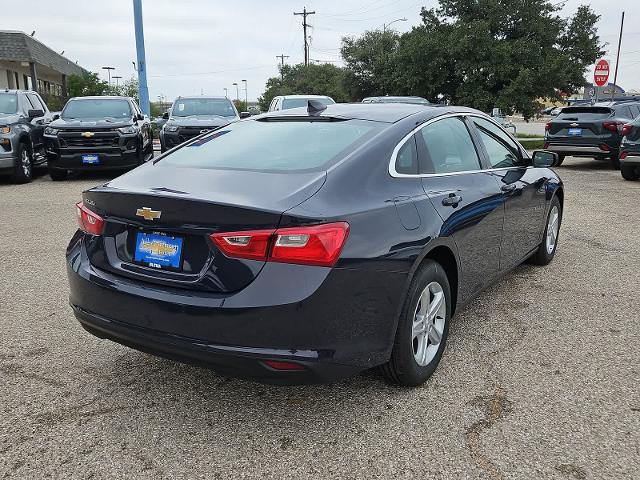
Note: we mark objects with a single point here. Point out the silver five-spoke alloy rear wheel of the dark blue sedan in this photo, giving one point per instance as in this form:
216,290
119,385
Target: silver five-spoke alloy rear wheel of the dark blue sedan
428,323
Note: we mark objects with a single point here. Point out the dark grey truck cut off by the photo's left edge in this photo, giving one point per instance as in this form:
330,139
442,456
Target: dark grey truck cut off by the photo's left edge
23,117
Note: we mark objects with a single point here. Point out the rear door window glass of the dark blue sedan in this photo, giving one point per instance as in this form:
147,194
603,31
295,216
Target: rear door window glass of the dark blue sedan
448,147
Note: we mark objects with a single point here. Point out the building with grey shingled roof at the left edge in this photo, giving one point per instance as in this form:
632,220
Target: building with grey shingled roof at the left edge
26,63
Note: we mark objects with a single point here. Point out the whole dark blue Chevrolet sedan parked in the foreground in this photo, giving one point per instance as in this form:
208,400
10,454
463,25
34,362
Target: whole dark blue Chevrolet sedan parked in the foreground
311,244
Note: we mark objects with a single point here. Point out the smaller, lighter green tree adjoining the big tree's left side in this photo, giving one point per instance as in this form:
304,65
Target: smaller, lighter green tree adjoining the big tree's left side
369,63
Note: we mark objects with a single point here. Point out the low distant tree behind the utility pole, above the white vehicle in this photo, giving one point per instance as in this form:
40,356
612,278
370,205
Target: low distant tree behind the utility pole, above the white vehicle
313,79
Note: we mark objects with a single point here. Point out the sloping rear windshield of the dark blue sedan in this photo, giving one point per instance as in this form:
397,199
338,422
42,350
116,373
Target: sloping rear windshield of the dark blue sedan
274,145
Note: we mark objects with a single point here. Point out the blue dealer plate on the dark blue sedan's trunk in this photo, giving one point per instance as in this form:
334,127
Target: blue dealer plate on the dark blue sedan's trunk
157,250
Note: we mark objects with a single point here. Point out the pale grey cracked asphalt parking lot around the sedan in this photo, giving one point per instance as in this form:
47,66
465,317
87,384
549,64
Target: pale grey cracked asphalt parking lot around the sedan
540,378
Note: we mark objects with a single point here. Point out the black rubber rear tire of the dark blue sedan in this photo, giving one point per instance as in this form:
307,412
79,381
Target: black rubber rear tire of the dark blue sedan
403,368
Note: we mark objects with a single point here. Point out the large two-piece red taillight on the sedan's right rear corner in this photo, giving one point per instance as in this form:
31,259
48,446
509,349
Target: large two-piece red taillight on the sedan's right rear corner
312,245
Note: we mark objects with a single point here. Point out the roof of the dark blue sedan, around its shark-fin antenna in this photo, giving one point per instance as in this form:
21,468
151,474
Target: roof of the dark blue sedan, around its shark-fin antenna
377,112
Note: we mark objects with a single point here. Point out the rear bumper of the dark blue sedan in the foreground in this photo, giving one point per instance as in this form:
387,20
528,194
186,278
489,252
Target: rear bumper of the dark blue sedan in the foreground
335,322
